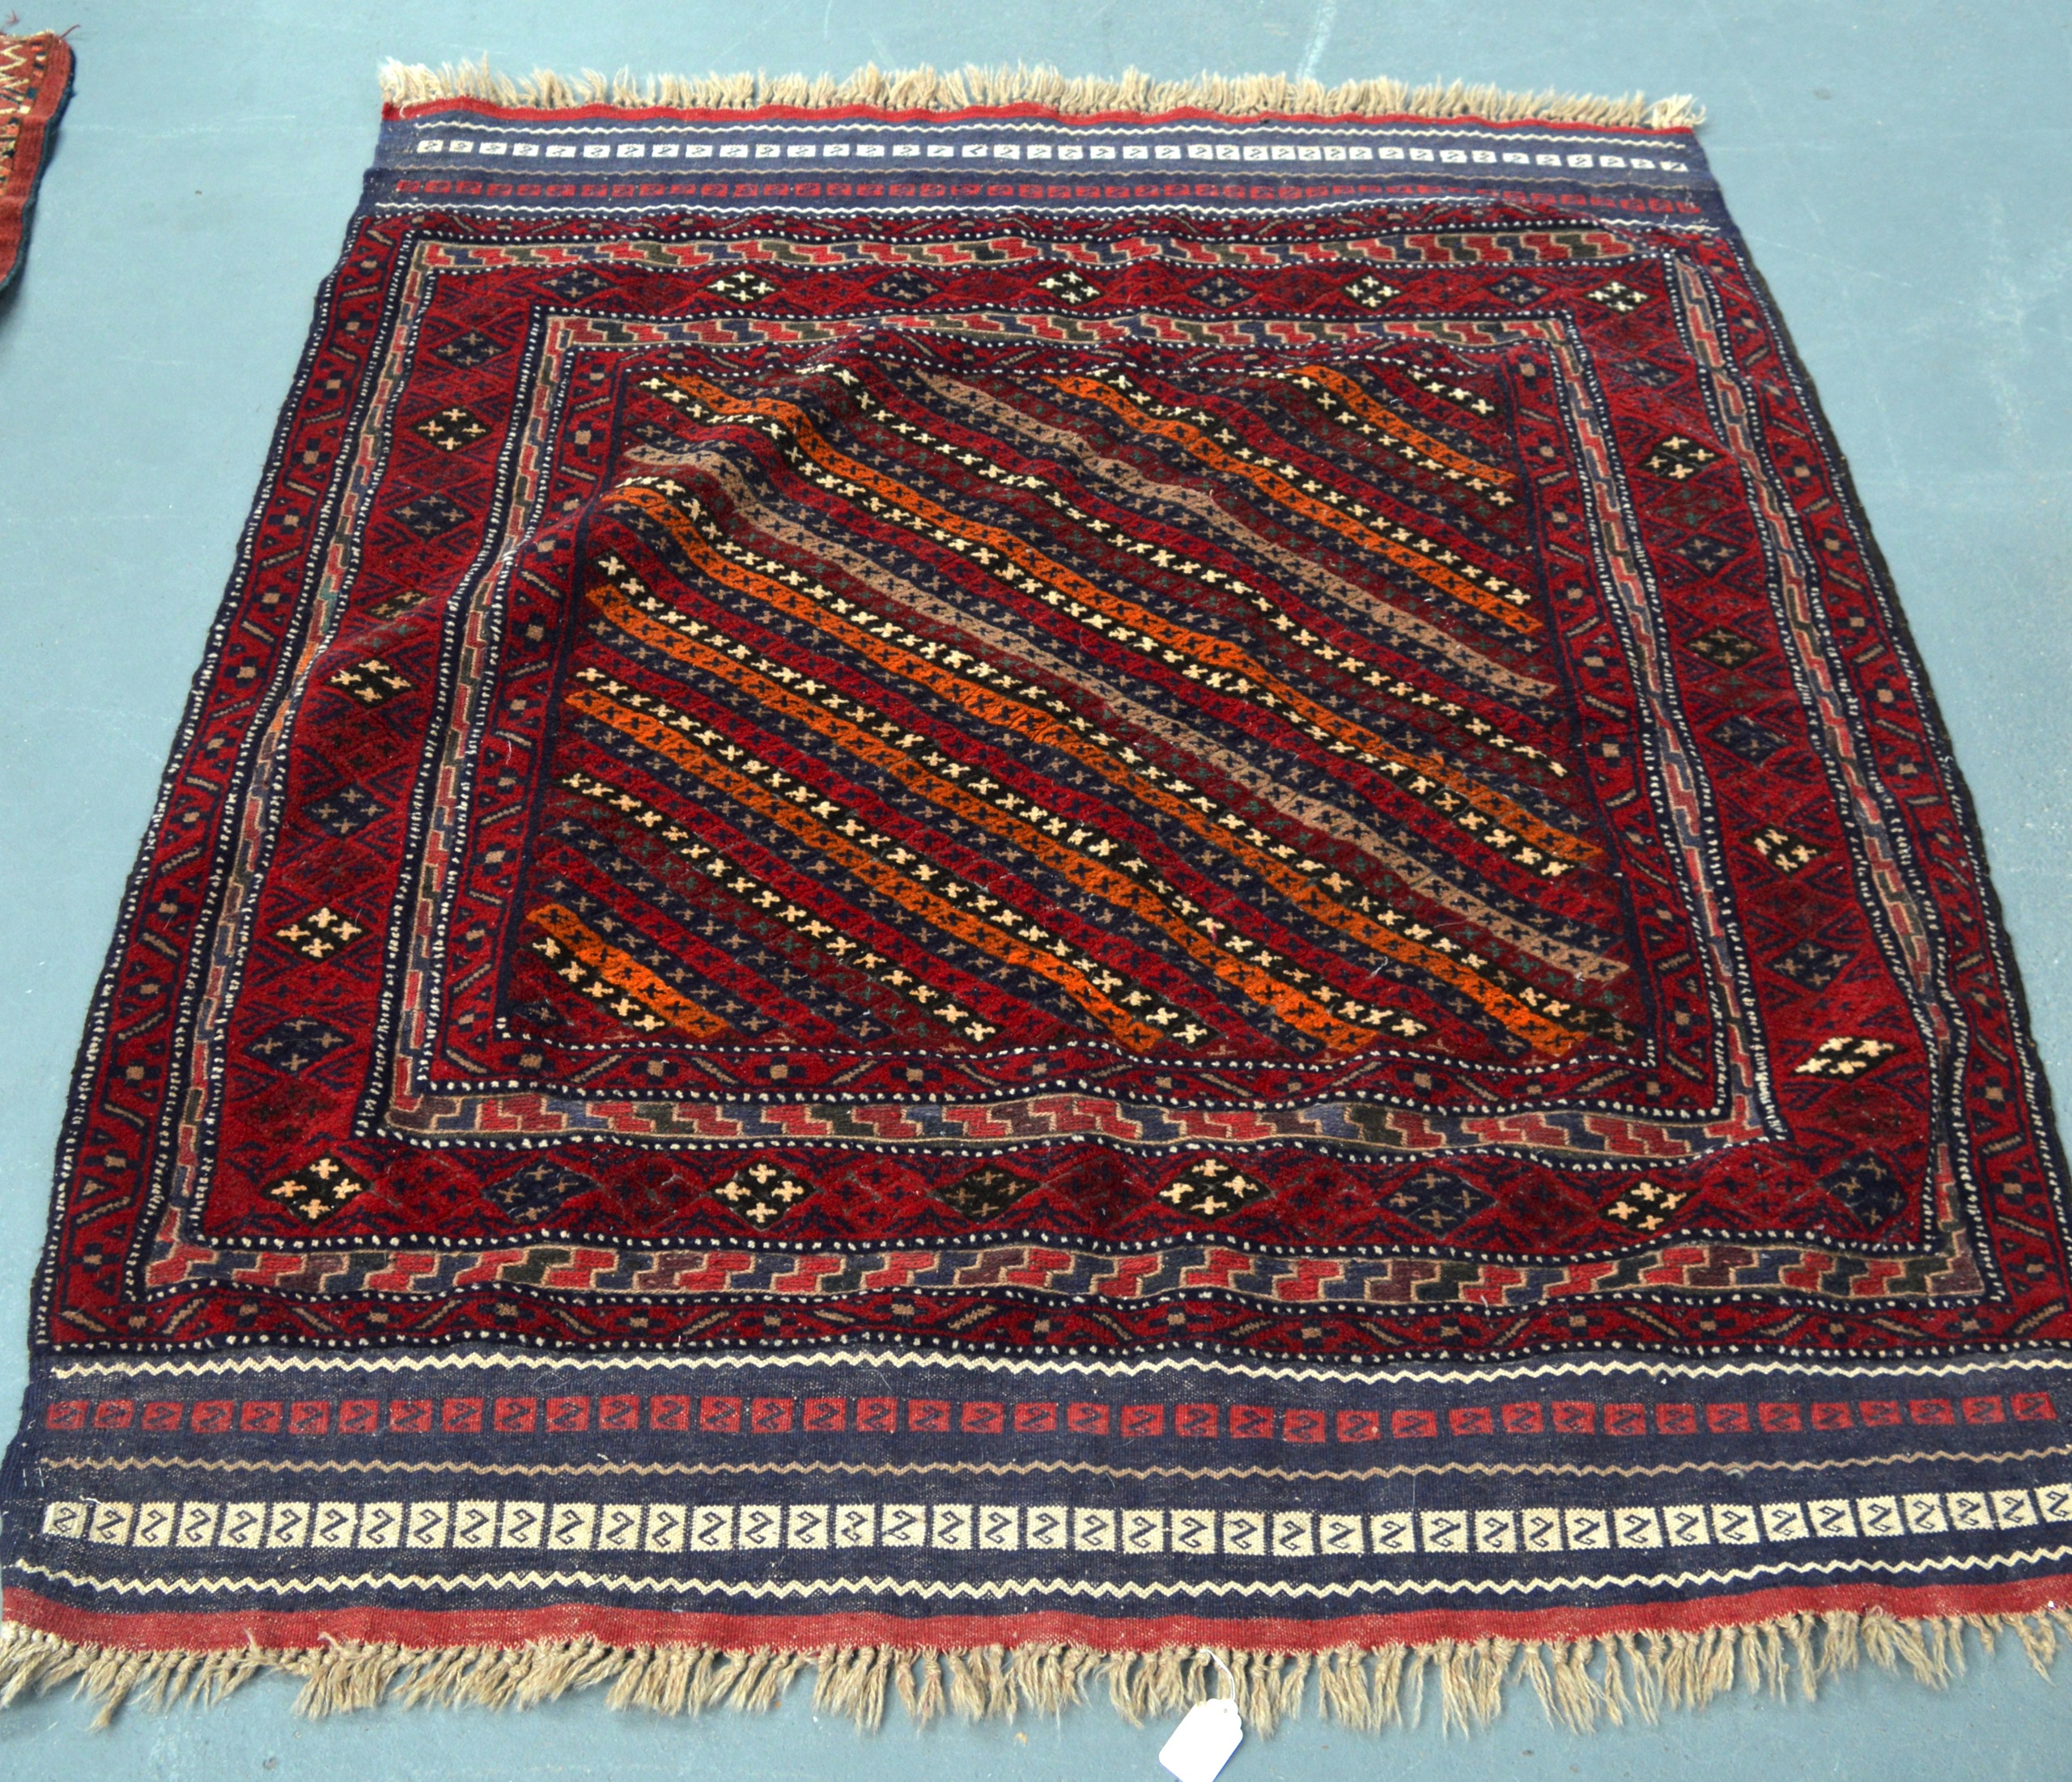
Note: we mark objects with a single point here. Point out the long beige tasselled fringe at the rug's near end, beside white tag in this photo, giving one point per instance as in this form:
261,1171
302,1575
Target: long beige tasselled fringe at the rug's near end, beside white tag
1582,1684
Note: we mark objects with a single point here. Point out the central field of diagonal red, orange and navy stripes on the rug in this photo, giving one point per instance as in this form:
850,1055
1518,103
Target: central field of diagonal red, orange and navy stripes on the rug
1190,755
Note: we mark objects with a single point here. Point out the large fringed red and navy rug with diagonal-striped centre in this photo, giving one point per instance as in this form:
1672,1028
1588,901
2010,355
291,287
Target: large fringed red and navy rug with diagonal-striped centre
994,882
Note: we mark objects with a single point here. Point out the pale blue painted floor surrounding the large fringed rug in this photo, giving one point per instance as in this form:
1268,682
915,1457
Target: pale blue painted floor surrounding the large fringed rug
1897,165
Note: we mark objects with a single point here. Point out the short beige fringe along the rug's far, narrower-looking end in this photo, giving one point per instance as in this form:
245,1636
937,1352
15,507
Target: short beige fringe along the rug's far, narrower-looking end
954,90
